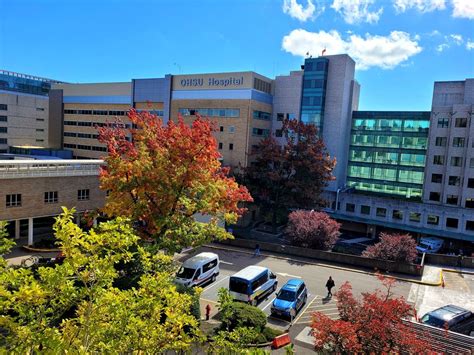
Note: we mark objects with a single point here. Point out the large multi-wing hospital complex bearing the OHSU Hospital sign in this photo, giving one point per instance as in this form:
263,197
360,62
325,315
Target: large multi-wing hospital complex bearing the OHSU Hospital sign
400,170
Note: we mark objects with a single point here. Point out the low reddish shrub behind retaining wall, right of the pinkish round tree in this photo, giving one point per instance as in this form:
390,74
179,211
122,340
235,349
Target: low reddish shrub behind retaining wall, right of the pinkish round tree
394,247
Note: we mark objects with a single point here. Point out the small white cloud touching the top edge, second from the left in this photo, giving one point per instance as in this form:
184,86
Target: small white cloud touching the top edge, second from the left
356,11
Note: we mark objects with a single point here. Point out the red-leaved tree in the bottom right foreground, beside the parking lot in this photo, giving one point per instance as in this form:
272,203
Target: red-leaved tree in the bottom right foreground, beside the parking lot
372,325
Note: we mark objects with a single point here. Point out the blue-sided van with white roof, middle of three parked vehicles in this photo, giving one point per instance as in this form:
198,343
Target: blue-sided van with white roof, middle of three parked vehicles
252,284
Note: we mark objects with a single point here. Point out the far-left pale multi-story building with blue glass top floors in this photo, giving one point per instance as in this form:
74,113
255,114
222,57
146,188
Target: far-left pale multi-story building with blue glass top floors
24,112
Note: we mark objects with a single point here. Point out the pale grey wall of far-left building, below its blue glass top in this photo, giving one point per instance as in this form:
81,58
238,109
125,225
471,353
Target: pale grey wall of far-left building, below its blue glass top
26,120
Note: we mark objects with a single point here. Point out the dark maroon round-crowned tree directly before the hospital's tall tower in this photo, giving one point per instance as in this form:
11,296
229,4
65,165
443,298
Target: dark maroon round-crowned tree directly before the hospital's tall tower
291,175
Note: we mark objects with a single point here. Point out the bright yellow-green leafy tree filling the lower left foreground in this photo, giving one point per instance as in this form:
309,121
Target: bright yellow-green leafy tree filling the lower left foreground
74,307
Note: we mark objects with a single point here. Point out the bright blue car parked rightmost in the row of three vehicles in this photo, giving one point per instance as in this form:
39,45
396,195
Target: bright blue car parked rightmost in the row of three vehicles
290,299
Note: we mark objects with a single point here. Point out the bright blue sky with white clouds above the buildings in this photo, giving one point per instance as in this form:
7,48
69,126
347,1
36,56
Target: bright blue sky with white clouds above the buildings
401,46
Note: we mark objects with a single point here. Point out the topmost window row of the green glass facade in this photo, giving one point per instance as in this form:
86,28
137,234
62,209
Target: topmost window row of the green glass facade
390,125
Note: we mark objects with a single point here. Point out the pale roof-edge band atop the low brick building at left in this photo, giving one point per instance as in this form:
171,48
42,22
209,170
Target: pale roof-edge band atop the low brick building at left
14,169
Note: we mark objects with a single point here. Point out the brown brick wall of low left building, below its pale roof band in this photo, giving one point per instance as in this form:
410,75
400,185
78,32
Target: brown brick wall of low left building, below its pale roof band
32,195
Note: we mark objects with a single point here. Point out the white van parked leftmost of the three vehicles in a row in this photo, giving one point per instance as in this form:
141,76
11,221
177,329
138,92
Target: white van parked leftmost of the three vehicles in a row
198,270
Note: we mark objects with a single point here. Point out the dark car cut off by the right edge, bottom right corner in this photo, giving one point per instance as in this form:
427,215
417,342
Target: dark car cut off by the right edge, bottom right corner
451,317
